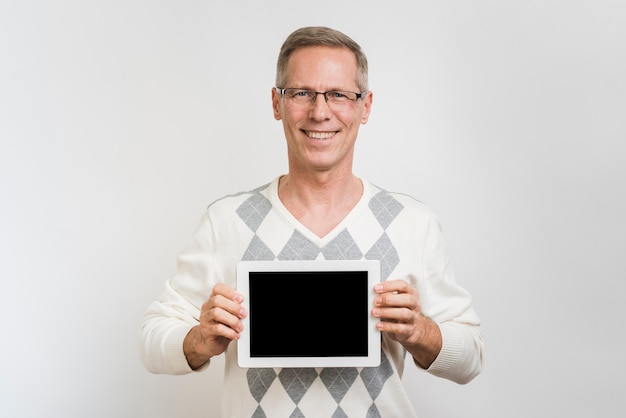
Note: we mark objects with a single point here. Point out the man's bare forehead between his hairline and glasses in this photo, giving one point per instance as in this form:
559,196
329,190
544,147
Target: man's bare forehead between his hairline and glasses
322,67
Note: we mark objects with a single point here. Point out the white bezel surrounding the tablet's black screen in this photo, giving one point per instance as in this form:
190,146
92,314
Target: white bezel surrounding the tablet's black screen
372,267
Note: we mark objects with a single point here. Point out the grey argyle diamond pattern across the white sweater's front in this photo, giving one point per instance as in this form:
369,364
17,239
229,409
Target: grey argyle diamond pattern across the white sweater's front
337,381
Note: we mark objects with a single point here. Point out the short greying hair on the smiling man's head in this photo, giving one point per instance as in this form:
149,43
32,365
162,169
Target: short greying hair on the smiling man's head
320,36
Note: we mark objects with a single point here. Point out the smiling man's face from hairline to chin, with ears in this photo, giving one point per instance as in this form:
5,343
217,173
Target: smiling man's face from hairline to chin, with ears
319,137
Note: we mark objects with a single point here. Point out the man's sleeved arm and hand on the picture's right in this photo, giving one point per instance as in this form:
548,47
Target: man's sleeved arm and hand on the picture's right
432,316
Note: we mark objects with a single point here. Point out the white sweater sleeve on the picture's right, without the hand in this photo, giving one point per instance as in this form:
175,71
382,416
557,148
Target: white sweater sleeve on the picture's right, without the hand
450,306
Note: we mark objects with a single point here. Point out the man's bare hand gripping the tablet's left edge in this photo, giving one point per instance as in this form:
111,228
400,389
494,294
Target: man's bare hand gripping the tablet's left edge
220,323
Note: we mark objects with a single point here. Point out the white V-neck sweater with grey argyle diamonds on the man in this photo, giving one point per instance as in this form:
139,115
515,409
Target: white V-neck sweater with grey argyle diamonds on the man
399,231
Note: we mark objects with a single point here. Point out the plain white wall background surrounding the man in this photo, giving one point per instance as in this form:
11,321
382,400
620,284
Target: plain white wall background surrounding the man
120,121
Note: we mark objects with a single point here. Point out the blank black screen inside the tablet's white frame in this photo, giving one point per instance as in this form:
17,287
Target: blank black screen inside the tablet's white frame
308,314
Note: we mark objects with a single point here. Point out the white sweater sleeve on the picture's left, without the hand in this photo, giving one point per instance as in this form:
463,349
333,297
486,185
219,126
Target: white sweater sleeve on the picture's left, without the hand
168,319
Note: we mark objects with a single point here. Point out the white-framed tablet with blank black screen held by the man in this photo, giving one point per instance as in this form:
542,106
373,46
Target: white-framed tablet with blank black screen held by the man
308,314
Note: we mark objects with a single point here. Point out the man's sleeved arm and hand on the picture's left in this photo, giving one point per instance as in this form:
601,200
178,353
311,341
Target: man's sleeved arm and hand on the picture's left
195,317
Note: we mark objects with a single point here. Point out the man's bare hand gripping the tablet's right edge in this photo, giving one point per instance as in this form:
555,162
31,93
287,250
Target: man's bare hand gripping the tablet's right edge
398,308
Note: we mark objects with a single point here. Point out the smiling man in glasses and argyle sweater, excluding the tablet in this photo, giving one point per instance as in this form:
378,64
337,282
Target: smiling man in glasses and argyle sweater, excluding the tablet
318,210
